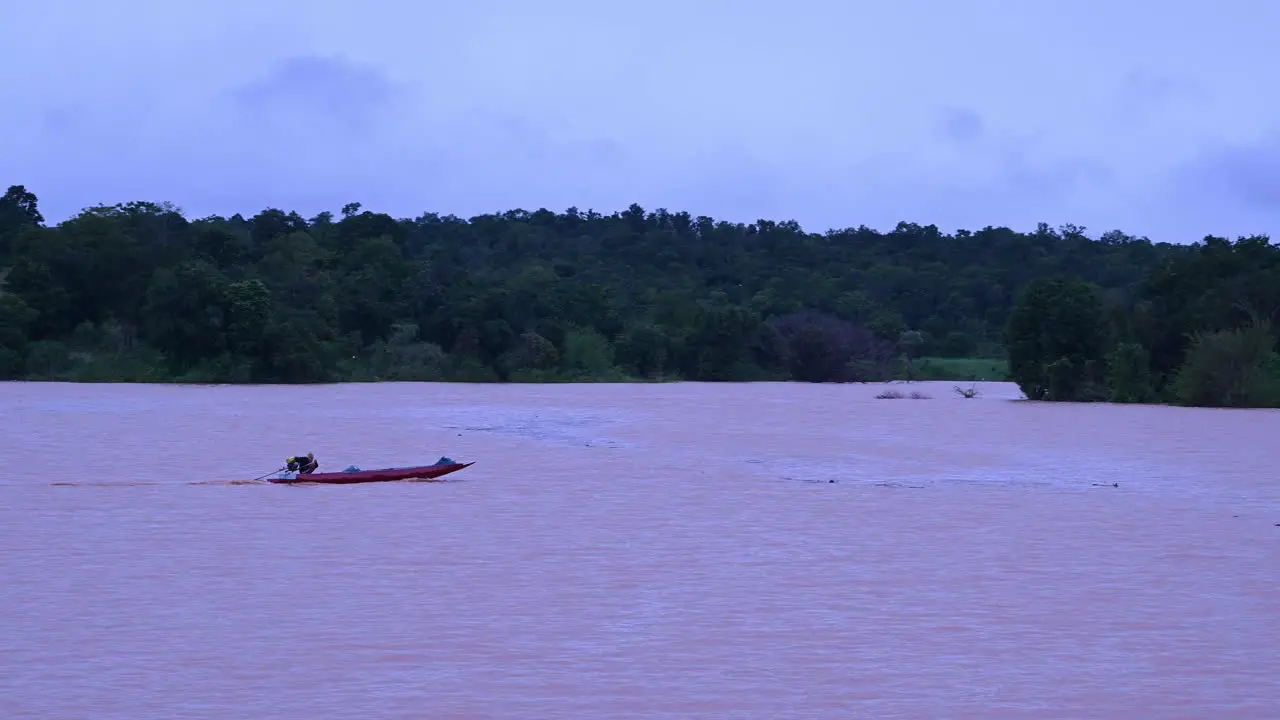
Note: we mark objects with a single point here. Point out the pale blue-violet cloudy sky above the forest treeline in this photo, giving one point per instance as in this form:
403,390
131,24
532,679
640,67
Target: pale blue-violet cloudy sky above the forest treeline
1155,119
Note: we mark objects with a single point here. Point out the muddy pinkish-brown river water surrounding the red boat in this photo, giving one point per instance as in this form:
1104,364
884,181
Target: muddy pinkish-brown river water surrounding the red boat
634,552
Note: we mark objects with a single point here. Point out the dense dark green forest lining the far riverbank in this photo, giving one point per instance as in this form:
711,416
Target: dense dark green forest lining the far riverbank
139,293
